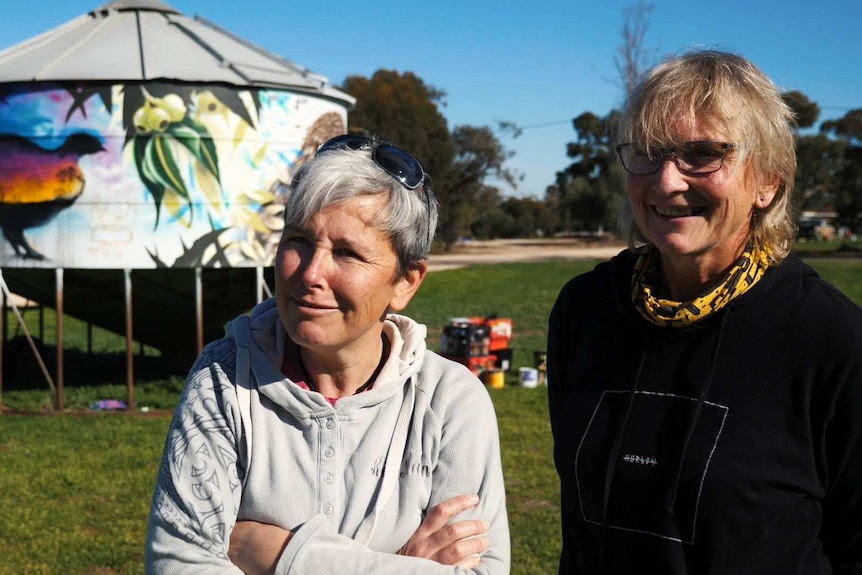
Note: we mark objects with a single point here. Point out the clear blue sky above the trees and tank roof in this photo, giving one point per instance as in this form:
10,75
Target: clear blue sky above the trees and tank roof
538,64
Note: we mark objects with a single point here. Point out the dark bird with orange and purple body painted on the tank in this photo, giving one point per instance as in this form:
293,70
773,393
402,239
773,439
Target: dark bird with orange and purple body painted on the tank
37,183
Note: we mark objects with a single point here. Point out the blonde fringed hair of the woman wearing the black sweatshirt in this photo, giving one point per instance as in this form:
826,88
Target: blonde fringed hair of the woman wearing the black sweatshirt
725,92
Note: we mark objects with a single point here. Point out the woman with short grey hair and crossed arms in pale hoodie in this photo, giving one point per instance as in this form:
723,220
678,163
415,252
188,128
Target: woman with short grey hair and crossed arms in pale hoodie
321,435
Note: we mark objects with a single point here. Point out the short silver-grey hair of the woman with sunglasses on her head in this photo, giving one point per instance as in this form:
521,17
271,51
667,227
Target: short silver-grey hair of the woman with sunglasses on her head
410,222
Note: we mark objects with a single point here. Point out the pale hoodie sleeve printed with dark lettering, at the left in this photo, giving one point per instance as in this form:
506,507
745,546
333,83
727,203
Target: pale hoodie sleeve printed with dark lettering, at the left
199,483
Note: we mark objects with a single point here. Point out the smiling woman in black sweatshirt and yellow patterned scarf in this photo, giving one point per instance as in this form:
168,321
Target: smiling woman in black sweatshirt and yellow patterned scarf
705,385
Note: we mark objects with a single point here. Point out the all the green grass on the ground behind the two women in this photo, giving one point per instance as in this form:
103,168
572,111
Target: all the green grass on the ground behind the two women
75,488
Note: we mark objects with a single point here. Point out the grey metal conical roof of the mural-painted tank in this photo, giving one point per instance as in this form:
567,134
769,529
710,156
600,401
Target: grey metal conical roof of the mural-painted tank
146,40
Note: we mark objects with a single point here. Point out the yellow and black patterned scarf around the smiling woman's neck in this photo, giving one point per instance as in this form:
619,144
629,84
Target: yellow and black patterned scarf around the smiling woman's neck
744,274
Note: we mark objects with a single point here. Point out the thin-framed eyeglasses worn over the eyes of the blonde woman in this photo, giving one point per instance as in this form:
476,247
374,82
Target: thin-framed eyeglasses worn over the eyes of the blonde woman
692,158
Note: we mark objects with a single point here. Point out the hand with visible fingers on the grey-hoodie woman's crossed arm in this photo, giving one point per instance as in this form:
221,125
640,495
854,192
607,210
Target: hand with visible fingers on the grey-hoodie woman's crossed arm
456,543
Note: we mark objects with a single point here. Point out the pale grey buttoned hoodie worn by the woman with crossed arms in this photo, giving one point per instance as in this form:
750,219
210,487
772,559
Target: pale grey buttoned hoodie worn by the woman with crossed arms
352,481
